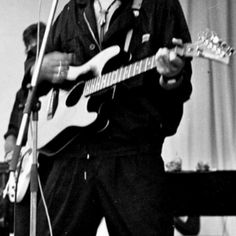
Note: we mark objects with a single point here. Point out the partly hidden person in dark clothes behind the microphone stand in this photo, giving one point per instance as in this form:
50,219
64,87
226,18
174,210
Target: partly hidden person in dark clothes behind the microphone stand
32,36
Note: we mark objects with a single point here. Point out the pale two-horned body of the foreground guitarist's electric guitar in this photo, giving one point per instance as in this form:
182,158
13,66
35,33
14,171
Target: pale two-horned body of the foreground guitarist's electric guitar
75,111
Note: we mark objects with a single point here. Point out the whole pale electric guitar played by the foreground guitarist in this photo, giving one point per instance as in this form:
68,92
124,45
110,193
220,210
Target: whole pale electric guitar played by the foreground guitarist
71,109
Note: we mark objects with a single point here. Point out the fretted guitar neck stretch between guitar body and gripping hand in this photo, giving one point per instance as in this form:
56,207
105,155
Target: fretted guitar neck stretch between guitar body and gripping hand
124,73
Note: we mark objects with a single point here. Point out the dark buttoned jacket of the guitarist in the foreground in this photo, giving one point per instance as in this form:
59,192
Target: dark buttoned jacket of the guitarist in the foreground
141,111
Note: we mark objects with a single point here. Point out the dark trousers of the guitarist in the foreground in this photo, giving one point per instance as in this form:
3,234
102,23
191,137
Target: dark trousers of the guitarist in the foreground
128,190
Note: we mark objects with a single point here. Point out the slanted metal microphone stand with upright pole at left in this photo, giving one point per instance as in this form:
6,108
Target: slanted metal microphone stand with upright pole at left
32,106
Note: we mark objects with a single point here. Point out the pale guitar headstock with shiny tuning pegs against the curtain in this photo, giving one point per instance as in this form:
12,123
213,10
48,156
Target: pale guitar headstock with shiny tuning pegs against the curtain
208,46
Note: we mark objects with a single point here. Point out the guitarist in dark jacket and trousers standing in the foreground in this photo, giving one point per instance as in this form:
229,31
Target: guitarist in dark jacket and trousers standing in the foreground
118,172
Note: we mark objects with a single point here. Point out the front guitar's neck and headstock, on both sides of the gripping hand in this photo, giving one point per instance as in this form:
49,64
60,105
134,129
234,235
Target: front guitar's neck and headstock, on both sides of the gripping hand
198,49
